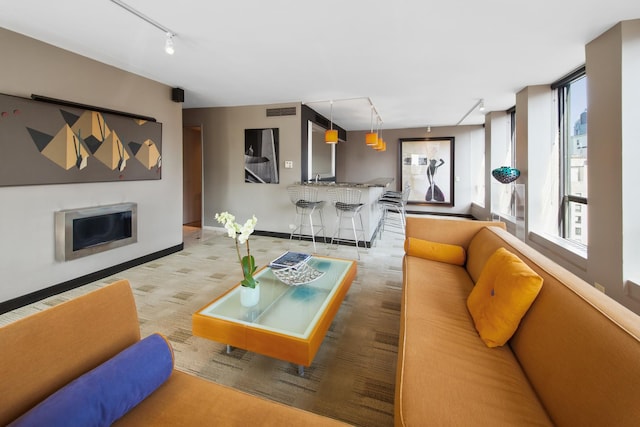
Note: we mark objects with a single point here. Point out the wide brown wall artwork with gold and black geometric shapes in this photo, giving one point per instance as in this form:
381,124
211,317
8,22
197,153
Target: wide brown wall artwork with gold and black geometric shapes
45,143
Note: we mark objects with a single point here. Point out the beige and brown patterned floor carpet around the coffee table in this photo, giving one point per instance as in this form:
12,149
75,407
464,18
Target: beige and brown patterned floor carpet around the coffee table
352,377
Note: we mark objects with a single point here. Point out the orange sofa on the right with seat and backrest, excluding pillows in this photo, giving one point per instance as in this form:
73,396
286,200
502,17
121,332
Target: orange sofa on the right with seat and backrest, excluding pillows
572,361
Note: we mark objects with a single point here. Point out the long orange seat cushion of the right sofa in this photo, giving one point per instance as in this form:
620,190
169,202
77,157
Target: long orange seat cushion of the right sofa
446,375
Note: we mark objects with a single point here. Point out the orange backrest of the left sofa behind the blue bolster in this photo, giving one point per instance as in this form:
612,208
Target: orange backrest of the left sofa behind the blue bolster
41,353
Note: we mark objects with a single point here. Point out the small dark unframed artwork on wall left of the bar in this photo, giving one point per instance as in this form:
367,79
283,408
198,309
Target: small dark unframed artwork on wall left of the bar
261,153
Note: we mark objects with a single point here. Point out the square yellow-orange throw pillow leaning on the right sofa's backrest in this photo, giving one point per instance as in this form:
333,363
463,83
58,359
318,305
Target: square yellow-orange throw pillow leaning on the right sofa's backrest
504,292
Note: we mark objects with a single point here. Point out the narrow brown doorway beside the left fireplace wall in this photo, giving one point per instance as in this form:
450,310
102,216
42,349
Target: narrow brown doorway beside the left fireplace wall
192,176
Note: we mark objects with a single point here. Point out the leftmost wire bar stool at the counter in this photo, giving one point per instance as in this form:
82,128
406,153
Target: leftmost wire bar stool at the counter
305,199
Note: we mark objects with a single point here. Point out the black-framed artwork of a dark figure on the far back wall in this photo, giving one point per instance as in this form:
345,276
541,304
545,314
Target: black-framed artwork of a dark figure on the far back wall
427,167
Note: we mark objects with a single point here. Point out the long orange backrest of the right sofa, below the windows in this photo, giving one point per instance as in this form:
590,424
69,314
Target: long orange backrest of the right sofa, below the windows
579,348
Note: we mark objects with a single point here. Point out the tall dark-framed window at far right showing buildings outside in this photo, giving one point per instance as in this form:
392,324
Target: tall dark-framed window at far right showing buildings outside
572,127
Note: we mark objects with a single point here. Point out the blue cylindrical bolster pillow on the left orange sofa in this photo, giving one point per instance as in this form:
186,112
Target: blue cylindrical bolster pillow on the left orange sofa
106,393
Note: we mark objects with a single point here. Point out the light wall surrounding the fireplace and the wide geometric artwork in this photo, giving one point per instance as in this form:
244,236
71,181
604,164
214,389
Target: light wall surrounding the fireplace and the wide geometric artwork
27,261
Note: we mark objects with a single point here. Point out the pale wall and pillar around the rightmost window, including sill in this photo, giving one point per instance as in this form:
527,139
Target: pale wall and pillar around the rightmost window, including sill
611,259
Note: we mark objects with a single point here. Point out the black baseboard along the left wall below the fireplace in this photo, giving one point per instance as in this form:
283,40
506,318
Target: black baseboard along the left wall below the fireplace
83,280
